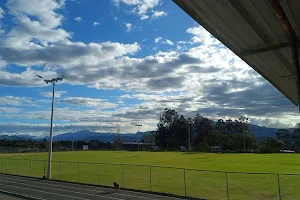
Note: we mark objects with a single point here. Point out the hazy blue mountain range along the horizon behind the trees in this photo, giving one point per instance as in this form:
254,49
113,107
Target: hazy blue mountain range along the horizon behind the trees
259,131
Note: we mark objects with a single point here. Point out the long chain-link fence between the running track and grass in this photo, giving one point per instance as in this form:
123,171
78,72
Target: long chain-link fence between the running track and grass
179,181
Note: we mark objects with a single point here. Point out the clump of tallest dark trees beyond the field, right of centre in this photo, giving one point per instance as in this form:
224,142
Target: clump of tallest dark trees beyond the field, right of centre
174,130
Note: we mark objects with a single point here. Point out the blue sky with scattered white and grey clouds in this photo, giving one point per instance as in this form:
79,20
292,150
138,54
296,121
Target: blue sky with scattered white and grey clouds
125,62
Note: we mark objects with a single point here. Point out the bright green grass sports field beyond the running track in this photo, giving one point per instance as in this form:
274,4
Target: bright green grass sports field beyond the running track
210,185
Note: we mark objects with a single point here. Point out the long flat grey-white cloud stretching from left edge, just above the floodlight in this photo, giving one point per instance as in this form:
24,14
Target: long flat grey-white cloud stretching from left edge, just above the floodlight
68,53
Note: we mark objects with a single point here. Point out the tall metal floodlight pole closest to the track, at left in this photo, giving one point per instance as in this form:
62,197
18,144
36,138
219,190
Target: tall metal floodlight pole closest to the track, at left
53,81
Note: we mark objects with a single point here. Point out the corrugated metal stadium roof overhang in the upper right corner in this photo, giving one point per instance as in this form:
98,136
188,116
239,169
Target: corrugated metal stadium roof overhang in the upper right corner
264,33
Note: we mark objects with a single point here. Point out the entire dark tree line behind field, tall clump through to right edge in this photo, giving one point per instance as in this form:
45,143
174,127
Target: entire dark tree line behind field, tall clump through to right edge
232,135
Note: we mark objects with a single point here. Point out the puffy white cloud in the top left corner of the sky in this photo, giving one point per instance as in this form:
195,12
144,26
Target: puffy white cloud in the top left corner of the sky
34,28
